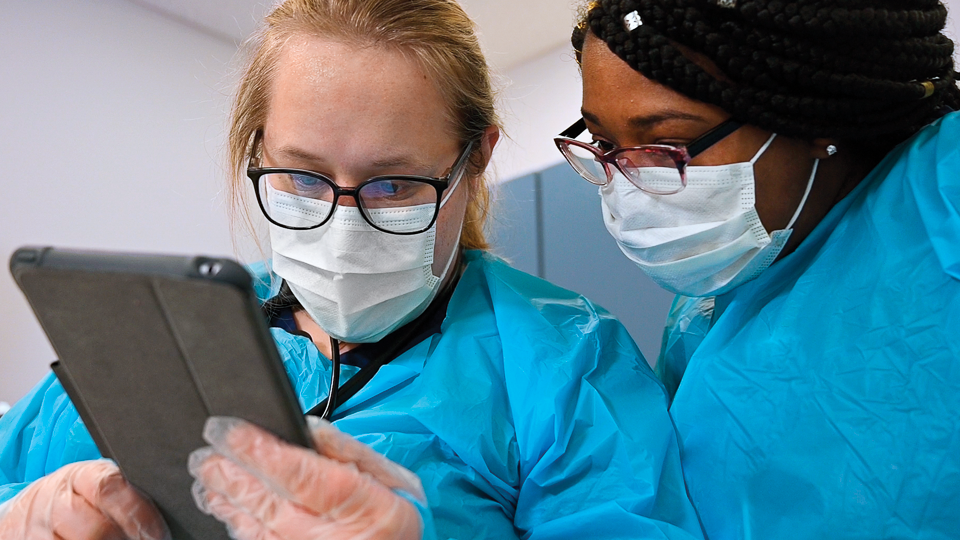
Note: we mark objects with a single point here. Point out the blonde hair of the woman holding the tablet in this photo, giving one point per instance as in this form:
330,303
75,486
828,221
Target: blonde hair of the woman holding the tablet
438,34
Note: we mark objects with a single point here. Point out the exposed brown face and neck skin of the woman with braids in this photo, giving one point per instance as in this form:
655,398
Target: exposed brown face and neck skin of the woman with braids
624,108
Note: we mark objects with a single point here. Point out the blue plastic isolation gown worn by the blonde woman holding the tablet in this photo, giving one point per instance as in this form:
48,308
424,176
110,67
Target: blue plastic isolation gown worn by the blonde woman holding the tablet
531,414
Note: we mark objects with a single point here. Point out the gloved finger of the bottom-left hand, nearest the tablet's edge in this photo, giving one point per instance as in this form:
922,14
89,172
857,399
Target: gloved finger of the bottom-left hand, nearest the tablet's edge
106,489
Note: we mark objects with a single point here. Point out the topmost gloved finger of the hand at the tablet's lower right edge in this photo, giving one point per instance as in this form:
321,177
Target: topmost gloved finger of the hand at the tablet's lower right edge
333,443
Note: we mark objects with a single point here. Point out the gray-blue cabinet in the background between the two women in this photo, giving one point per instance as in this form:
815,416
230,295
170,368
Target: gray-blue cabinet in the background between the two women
549,224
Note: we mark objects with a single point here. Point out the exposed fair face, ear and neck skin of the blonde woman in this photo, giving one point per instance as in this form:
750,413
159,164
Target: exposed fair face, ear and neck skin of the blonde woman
351,112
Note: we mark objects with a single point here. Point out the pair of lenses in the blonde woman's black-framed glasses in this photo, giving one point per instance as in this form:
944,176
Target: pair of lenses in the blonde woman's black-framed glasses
391,204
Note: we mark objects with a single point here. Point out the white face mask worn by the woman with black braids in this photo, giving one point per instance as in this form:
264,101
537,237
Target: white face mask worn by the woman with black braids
702,241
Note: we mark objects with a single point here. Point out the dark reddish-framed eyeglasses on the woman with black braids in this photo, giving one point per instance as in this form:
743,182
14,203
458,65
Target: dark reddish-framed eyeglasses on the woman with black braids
658,169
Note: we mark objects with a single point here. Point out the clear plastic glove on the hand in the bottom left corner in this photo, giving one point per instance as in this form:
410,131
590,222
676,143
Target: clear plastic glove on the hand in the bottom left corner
89,500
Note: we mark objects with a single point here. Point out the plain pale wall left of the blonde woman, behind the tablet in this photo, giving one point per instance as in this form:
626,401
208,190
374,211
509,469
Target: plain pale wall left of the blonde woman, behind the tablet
112,120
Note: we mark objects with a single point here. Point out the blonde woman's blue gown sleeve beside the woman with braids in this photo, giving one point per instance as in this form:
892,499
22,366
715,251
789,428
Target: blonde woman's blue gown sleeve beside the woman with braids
599,453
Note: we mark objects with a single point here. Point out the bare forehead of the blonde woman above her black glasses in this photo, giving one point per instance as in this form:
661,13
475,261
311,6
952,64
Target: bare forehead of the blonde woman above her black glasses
329,95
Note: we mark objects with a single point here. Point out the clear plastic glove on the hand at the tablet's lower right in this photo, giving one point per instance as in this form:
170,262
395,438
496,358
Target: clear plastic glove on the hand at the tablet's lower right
265,489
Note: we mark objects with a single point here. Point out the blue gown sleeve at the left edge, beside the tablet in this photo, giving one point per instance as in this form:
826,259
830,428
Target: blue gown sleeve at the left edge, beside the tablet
40,434
